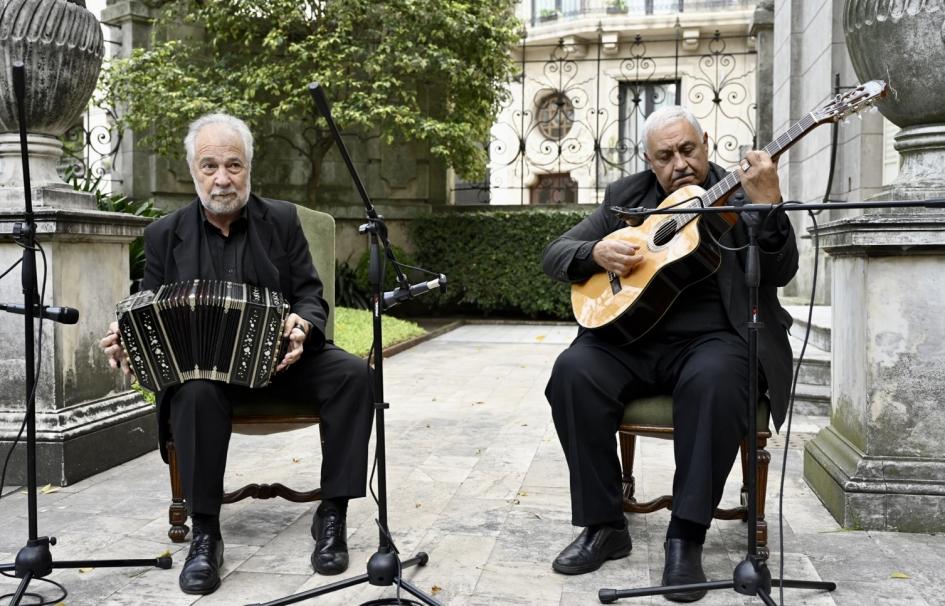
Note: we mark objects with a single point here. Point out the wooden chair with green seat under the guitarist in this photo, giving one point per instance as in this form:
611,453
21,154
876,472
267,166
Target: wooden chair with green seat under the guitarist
653,417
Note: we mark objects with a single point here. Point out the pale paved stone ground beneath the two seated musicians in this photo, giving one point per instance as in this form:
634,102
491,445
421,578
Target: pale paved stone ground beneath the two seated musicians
477,480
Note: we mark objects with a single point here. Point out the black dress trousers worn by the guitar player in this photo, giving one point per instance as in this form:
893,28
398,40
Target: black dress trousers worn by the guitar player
707,377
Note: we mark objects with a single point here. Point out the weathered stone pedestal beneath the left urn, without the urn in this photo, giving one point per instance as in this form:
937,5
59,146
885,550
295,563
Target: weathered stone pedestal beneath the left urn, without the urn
87,418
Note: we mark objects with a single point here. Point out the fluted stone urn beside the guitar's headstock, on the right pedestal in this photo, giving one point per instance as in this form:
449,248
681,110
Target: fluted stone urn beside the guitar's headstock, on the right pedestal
903,43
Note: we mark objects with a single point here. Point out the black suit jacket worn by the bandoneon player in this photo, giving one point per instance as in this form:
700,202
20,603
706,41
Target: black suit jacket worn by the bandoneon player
280,259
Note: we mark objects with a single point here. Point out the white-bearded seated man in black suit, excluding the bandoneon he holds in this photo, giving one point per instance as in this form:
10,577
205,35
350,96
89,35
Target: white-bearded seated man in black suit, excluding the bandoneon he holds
228,233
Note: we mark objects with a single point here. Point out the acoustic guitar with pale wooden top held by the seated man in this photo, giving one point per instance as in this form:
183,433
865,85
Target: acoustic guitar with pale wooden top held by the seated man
680,249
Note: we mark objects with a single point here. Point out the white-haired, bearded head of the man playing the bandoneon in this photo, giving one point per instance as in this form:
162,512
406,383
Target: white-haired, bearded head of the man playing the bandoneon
220,170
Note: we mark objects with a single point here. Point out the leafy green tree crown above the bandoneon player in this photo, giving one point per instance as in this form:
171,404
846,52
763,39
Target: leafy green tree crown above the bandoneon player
422,70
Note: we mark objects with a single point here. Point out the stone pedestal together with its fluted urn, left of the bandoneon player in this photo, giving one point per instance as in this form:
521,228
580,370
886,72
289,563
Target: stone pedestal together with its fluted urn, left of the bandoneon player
87,418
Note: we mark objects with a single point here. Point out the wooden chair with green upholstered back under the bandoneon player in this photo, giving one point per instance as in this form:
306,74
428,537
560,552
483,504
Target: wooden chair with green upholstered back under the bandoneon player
274,416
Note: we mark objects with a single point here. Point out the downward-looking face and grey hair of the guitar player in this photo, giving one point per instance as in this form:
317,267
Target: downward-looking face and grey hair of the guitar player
677,156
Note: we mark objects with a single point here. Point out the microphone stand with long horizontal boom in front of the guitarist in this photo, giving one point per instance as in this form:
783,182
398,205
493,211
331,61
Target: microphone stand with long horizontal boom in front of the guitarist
751,576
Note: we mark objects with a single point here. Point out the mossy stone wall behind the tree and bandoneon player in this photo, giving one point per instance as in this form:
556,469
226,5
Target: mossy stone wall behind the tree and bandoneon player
403,179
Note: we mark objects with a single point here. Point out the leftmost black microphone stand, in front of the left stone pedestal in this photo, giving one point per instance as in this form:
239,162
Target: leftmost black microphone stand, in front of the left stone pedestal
34,560
